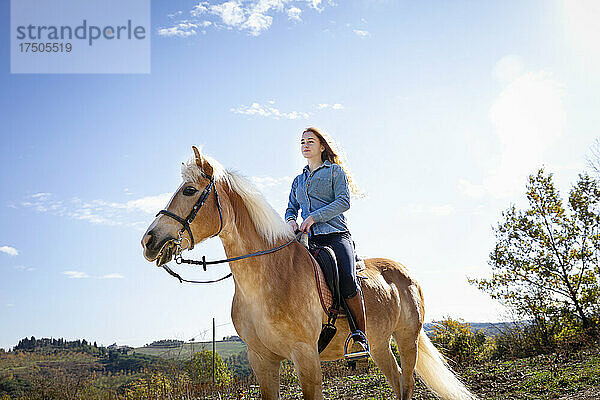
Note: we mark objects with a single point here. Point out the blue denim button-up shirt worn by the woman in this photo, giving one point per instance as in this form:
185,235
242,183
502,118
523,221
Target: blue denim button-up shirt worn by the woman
324,194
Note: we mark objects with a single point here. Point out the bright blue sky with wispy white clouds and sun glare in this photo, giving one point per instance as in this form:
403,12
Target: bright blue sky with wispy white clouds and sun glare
442,109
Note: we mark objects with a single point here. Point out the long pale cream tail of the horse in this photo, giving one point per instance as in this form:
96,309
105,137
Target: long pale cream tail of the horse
433,369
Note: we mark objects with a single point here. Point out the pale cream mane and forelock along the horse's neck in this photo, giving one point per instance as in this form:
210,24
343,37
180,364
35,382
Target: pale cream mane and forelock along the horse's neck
267,222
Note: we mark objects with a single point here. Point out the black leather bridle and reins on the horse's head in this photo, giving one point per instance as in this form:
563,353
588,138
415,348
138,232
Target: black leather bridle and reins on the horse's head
185,226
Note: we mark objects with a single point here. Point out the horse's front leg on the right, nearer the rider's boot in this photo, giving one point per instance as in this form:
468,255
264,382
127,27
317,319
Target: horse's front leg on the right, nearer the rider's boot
308,367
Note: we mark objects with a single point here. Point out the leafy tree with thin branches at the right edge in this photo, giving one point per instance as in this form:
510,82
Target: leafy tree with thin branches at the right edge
545,261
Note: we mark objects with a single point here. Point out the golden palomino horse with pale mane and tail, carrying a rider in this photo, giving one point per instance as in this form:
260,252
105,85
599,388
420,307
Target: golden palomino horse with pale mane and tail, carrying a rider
276,308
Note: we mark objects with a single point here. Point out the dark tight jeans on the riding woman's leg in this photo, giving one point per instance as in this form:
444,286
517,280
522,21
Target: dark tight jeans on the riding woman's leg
341,243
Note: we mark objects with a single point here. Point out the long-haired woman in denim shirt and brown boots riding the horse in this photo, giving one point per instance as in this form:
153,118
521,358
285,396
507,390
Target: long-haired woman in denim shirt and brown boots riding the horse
322,191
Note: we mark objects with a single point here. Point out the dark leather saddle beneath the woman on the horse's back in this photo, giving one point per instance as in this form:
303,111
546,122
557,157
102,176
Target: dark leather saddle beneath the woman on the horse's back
327,280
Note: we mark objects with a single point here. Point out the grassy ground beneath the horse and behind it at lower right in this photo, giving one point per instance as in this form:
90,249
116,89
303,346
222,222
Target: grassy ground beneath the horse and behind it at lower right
547,377
